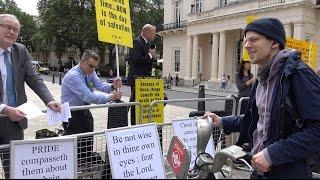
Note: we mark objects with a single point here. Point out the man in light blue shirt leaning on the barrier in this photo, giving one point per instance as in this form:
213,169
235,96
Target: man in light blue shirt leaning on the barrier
77,89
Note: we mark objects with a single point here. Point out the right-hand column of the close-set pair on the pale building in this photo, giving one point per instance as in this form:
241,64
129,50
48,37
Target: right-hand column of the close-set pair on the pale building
222,54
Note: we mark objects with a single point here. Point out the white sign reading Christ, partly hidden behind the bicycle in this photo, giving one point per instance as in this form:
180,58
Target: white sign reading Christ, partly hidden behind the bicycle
187,130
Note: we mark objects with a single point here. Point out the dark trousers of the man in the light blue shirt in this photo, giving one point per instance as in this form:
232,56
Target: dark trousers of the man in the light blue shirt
81,122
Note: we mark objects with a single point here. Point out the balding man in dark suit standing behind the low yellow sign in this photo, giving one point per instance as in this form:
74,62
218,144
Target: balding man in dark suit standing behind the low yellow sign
142,56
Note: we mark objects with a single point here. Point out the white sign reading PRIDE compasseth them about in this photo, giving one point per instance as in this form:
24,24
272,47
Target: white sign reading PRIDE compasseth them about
53,158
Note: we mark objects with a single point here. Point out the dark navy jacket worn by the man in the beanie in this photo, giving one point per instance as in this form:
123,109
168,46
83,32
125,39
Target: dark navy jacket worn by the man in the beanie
294,131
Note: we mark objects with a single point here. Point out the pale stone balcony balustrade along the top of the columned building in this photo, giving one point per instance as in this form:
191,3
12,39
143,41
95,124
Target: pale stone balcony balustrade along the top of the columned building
242,6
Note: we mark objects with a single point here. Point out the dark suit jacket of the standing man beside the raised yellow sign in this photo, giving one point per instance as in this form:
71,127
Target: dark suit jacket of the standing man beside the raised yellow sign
140,62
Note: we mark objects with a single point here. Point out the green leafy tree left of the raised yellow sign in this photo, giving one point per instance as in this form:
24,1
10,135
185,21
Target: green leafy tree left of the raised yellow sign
70,24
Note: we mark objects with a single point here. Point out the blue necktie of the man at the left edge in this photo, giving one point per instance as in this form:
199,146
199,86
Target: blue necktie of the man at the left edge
11,94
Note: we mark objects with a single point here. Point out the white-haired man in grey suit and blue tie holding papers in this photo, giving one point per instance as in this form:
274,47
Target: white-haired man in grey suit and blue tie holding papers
16,69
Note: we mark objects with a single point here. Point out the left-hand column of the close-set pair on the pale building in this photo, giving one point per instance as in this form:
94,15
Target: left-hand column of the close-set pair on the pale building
215,57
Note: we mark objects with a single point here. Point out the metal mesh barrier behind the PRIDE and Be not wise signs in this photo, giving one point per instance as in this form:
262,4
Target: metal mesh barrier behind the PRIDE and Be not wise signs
92,156
